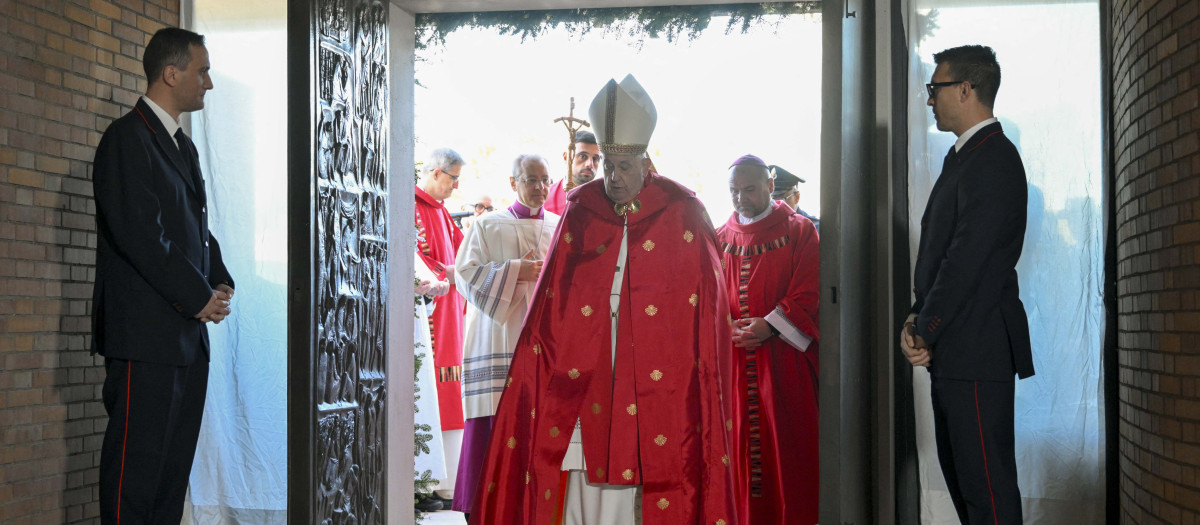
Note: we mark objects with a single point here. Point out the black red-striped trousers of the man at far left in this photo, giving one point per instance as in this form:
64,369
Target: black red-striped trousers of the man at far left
154,420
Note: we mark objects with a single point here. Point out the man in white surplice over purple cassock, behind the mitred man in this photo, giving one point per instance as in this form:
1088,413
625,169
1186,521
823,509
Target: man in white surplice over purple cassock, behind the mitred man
497,268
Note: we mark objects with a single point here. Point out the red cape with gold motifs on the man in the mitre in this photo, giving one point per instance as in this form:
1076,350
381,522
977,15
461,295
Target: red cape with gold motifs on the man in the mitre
657,418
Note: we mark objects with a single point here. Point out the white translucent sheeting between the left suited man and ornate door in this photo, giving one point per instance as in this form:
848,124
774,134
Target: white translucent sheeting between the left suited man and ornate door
241,470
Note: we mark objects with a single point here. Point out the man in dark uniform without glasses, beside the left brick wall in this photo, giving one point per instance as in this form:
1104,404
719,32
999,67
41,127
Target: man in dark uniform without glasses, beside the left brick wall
160,280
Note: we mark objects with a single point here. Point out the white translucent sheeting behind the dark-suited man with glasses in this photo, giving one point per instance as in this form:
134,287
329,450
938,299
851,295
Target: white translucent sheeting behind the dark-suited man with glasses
1049,105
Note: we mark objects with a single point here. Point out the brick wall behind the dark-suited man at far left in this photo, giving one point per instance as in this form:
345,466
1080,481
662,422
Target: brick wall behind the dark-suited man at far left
68,69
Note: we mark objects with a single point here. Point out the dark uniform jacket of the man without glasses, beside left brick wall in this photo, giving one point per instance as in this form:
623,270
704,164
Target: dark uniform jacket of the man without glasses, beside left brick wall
157,261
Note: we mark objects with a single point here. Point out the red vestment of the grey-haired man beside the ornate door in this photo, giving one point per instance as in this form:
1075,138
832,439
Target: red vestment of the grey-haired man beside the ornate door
439,244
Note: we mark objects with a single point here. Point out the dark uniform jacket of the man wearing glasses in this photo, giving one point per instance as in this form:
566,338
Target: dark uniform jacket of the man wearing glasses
968,299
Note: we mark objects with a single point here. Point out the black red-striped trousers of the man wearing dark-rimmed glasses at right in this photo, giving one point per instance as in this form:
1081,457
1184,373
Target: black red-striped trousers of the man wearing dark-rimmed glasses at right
974,427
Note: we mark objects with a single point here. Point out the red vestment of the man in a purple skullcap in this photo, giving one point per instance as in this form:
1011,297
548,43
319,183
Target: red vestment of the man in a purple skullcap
773,263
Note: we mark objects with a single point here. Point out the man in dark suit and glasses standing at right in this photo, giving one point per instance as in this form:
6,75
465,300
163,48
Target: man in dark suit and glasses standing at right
968,325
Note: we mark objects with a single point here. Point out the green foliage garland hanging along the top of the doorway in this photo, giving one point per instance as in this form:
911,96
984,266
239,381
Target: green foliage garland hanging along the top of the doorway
635,23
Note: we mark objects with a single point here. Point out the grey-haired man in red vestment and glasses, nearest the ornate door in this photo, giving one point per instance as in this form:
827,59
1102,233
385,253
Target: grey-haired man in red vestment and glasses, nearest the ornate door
439,242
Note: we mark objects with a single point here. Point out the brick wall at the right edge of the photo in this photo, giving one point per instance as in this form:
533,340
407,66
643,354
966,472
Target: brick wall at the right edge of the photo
1156,100
